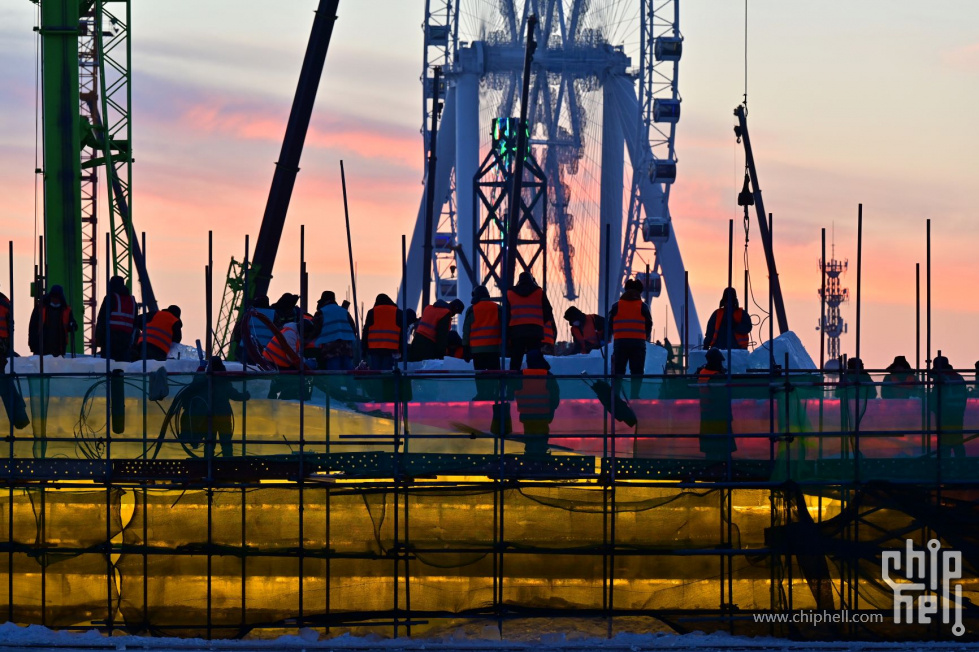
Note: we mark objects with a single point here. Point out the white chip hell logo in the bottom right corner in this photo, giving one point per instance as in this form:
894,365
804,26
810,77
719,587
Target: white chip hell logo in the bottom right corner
928,588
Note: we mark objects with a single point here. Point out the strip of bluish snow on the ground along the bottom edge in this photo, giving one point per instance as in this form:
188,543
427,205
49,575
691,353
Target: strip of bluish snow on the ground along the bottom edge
13,637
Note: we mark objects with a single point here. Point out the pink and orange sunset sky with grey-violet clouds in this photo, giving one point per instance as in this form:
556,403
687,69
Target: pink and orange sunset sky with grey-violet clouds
850,102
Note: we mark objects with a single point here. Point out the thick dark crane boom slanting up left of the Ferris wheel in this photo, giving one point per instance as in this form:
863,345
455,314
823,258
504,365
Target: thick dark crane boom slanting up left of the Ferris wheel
287,167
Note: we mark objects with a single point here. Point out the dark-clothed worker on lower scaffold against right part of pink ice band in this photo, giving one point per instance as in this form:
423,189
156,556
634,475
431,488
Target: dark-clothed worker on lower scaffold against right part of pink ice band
717,434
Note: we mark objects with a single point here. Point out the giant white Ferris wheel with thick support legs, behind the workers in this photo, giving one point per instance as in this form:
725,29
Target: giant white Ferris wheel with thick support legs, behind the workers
603,111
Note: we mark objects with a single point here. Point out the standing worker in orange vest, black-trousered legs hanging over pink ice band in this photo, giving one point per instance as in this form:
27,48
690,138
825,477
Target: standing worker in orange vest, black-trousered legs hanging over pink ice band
631,325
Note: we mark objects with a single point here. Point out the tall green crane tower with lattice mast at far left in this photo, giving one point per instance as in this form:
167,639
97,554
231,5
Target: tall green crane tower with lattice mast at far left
87,134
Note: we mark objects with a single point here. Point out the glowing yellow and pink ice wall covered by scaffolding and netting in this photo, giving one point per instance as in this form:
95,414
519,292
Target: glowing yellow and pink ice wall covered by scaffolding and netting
389,503
